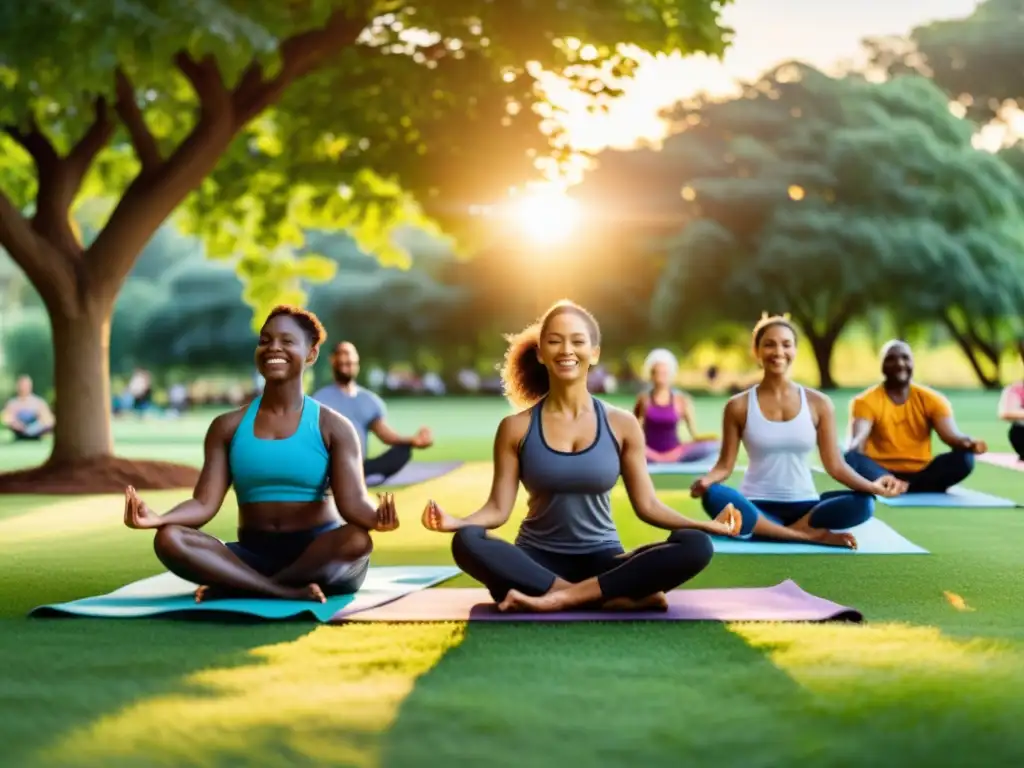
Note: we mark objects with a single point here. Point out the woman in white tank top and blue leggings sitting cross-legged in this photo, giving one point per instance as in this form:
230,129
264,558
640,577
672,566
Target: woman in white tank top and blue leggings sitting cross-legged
780,424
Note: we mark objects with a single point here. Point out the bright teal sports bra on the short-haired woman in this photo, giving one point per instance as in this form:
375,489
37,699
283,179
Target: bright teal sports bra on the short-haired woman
293,470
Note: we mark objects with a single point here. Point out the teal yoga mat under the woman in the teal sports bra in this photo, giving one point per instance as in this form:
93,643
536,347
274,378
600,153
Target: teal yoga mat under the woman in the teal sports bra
166,594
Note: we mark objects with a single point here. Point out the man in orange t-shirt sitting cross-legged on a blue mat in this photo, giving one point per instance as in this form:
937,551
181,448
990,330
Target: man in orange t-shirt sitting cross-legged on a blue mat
891,428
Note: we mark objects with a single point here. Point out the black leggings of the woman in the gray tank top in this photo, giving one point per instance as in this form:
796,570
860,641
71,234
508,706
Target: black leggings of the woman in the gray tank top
655,568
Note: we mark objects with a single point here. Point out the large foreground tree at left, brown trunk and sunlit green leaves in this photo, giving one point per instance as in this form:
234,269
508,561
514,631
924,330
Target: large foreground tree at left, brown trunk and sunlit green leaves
265,118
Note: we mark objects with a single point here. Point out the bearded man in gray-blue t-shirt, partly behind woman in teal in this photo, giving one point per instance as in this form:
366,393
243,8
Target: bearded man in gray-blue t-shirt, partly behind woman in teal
368,414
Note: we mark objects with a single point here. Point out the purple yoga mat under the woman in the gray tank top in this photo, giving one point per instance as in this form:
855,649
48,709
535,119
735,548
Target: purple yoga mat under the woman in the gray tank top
784,603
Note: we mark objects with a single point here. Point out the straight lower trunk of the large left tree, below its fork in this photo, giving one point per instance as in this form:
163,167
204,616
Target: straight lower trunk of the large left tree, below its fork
82,381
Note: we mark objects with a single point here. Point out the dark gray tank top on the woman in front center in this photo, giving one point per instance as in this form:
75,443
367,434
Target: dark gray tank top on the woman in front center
570,494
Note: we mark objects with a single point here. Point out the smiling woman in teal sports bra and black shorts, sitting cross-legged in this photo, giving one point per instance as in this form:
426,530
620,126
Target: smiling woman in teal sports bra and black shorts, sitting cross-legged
283,453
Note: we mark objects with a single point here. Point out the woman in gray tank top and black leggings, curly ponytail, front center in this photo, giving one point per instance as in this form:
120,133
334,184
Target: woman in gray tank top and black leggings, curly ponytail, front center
569,450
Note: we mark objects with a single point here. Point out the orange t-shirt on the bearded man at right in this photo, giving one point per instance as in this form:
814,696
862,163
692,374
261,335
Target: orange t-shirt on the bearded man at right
902,436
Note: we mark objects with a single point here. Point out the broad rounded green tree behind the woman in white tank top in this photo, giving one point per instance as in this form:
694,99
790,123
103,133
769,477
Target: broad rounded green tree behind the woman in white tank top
825,197
